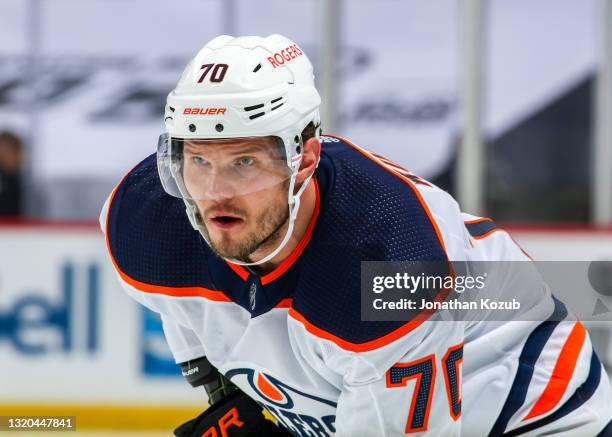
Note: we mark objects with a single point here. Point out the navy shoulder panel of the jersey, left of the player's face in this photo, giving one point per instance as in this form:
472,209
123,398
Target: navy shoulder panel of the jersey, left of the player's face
149,234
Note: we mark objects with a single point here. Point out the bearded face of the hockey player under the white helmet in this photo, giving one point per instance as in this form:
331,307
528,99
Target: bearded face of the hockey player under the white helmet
241,193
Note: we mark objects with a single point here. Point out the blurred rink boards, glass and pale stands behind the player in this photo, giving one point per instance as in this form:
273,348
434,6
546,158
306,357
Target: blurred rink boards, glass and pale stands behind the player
505,103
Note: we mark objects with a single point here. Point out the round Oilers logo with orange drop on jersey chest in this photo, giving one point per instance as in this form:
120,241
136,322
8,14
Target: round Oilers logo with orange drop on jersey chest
286,403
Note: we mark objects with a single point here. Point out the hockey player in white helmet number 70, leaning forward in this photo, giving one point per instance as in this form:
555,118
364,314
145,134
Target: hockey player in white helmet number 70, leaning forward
258,284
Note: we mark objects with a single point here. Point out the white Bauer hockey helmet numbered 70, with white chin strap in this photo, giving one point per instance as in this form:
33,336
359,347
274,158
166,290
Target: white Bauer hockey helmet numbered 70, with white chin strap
240,88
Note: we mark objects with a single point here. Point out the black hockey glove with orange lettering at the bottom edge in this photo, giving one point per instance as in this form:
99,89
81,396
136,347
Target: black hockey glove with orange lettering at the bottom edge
235,416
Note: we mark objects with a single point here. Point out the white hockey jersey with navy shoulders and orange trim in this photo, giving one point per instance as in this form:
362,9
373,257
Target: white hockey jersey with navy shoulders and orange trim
294,341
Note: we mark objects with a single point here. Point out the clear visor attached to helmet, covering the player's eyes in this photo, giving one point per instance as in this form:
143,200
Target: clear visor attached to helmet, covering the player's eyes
215,169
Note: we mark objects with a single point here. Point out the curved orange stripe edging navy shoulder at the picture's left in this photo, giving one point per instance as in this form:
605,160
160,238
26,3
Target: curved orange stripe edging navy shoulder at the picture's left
151,288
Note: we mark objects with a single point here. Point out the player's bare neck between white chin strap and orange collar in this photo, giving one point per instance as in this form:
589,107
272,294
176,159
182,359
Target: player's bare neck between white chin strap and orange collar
304,216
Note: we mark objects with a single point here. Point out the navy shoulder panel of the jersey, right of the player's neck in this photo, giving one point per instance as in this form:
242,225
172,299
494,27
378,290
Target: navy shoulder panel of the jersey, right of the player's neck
370,214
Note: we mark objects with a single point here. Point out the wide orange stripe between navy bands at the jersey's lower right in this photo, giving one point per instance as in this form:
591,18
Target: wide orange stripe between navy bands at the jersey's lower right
562,373
